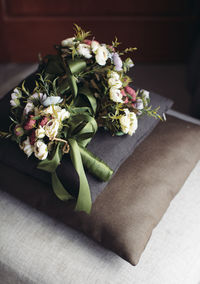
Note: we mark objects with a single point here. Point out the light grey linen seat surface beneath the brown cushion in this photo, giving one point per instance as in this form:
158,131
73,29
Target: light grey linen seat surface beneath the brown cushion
35,249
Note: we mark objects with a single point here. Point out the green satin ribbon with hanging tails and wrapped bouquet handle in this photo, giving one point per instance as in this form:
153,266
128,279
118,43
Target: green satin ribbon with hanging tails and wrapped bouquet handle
82,127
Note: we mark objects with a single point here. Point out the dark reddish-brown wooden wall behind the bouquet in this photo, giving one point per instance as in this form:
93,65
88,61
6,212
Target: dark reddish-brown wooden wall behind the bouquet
159,28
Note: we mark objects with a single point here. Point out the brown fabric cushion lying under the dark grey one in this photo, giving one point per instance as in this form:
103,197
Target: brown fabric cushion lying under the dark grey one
125,213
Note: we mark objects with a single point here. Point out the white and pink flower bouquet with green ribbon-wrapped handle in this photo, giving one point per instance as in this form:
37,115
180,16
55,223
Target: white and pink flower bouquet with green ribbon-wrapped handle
83,87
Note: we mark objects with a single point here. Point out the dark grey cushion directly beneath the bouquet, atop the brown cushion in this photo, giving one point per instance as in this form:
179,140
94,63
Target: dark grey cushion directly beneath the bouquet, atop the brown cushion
112,150
